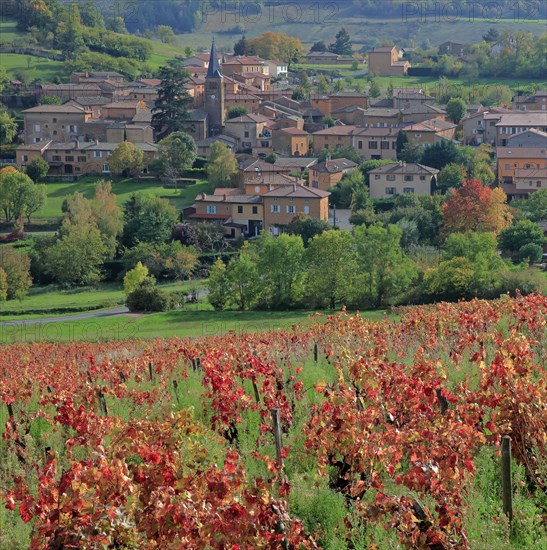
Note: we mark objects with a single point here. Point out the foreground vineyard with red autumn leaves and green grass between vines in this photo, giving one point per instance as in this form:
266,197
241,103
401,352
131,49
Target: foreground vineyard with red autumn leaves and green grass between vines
347,433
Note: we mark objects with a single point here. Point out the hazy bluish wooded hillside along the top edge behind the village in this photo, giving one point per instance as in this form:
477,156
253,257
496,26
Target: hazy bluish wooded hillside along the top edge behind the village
189,15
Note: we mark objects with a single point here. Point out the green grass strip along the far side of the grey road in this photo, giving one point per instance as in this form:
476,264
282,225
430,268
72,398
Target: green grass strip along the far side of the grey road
43,300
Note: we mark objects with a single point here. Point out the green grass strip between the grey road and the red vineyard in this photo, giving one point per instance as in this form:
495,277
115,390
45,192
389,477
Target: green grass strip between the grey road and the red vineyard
197,322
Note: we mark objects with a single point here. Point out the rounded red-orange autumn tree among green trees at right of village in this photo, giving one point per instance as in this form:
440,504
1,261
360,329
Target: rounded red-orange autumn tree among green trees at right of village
475,207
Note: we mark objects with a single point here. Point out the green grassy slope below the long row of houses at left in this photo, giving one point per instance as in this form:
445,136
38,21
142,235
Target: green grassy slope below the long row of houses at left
57,192
